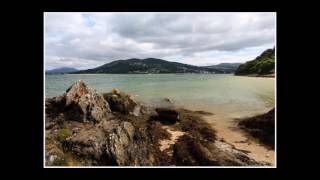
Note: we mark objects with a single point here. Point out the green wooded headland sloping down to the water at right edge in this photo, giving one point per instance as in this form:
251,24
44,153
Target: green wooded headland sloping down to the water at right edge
261,65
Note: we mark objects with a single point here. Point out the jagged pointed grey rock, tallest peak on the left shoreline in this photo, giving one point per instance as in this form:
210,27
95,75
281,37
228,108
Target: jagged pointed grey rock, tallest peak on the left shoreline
78,103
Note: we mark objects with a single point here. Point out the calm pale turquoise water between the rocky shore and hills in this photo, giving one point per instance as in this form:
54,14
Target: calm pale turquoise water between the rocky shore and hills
224,94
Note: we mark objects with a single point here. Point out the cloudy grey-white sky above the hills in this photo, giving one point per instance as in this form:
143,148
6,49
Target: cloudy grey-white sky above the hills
88,40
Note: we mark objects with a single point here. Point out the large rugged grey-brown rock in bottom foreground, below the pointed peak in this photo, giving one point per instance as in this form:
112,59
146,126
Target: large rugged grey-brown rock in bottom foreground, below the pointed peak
111,142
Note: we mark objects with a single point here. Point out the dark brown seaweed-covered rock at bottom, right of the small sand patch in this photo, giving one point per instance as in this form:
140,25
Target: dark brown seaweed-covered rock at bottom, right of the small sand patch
190,151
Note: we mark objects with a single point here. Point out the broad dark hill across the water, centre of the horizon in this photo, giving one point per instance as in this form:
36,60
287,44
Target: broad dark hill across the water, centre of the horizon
149,65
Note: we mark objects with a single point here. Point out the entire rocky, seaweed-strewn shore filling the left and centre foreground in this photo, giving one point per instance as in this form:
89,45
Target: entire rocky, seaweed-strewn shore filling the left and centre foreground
104,130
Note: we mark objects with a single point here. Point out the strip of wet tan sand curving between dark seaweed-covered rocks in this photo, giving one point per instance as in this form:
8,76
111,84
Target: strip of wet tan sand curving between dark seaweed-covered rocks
228,131
